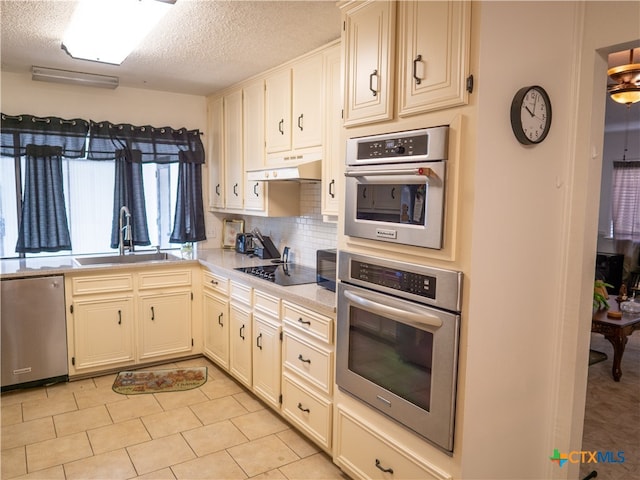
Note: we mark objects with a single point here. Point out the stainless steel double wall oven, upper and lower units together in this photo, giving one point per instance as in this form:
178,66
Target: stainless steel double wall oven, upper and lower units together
398,322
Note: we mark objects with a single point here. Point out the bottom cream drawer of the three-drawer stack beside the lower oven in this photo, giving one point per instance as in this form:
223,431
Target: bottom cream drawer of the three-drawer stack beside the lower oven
310,412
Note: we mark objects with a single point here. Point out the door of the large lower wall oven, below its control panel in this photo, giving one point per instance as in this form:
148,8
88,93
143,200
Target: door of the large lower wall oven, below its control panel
400,357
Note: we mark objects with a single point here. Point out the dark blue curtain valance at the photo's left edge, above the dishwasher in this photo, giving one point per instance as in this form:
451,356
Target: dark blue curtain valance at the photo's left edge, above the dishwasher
17,132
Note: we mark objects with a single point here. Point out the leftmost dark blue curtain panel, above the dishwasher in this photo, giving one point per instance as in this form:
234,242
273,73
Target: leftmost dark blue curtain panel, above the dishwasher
43,223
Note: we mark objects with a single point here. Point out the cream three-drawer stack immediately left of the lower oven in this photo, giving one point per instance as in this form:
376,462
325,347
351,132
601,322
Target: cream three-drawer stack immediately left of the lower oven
308,372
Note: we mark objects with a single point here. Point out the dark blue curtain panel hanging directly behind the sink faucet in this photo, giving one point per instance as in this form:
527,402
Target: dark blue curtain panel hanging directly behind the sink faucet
129,192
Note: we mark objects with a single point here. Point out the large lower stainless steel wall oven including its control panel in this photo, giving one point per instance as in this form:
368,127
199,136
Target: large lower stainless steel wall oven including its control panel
397,341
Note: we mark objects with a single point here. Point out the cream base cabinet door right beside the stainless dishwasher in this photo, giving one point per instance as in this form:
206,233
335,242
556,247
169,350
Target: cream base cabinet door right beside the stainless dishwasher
103,332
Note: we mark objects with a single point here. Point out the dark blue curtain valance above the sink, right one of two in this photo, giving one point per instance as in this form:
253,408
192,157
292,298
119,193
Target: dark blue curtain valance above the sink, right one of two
151,144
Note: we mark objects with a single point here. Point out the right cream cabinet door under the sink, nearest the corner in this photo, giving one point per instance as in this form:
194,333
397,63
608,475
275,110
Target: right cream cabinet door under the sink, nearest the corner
165,324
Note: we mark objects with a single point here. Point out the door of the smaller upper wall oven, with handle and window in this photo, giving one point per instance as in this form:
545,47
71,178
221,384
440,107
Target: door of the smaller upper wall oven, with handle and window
403,205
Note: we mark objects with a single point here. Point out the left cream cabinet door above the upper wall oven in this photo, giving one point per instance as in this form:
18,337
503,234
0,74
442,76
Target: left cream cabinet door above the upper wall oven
368,39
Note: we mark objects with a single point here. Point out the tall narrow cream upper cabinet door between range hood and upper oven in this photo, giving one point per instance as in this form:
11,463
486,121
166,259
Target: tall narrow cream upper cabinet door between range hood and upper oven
333,144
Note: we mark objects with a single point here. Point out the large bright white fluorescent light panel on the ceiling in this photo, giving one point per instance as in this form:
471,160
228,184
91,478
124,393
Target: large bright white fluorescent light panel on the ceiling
107,31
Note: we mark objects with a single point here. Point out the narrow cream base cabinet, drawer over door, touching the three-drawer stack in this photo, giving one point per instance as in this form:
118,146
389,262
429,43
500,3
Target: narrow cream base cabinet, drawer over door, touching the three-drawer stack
267,356
